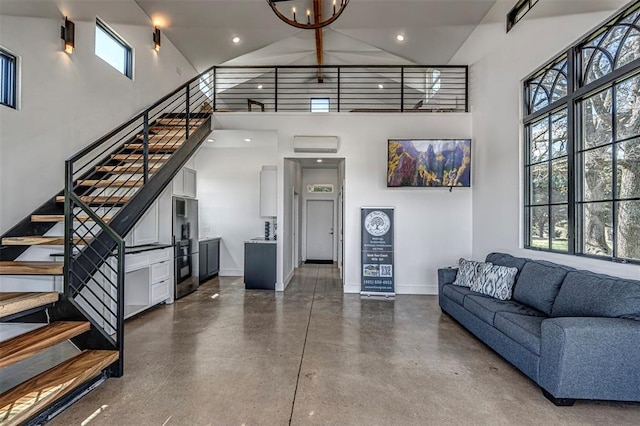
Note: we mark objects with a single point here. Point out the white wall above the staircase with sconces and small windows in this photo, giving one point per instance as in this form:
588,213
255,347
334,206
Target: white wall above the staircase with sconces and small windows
68,101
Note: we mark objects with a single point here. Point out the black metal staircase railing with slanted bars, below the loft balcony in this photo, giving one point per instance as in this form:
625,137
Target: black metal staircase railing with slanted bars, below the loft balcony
108,187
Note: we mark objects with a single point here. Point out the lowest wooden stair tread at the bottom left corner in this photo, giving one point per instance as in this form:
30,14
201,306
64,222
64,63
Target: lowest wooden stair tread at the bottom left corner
29,398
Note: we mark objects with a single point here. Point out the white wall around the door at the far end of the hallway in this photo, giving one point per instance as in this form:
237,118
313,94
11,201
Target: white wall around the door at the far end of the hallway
319,176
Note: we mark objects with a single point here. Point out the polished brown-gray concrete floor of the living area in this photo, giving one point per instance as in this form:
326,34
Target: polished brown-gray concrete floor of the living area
315,356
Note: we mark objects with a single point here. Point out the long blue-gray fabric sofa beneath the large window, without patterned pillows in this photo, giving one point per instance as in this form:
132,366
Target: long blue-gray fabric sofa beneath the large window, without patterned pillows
575,333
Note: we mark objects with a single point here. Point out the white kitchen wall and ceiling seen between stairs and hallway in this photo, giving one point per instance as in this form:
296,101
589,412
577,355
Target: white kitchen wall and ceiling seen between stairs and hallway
228,186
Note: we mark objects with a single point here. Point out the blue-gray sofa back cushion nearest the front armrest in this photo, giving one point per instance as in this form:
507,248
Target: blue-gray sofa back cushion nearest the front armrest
586,294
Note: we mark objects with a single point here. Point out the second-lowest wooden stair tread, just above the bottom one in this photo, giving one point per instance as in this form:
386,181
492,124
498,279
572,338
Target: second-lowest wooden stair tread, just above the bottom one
28,344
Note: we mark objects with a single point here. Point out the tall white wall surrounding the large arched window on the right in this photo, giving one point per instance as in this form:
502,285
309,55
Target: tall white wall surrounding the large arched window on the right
498,64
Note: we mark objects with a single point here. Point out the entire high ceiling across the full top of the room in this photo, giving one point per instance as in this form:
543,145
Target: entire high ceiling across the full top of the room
365,33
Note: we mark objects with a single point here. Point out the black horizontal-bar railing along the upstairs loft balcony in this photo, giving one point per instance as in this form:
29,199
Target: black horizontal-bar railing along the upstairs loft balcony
348,88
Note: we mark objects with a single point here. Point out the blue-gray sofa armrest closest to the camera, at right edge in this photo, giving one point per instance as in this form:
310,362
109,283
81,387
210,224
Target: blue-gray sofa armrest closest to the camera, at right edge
590,358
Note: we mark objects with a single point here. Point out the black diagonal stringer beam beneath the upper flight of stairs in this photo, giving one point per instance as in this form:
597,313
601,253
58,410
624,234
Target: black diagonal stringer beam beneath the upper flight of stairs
86,264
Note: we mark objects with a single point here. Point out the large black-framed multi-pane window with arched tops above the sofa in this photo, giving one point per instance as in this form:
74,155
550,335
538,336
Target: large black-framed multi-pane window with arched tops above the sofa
582,146
